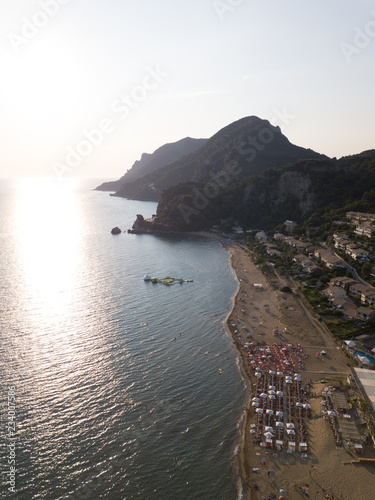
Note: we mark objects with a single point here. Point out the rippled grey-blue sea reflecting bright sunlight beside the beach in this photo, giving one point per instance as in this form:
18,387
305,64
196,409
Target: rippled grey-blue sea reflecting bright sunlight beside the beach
112,387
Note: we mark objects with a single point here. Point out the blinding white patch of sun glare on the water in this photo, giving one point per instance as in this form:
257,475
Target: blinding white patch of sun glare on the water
47,225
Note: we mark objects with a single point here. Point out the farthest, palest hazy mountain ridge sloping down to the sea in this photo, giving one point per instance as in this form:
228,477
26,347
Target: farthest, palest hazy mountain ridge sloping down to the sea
149,162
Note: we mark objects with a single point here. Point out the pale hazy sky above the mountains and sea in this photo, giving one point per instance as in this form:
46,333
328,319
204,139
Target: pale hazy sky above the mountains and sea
88,85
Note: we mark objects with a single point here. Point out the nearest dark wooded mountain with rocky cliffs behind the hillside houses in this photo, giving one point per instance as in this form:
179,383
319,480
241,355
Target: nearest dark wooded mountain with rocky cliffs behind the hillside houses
307,191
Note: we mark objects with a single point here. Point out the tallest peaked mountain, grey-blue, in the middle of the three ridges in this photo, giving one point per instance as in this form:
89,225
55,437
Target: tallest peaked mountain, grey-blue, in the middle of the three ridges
252,144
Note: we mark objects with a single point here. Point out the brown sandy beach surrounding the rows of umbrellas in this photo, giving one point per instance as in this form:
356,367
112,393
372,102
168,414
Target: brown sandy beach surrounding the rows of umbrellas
328,469
